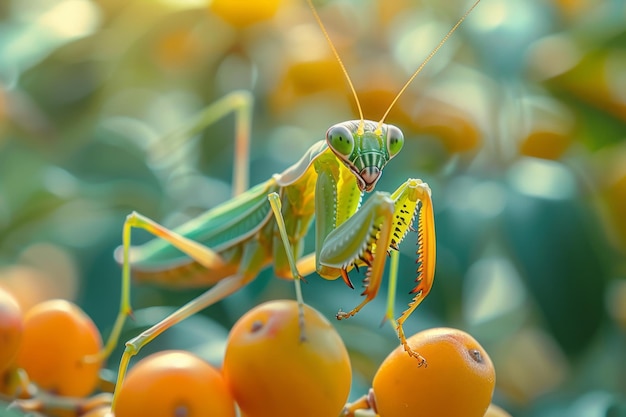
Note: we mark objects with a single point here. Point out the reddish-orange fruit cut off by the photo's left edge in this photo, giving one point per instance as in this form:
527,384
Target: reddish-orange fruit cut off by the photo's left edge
11,329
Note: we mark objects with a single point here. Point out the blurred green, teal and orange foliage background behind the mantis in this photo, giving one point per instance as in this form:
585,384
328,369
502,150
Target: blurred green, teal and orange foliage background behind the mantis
518,125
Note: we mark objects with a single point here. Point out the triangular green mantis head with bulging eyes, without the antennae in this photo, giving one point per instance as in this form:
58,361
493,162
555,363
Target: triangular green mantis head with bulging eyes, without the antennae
365,147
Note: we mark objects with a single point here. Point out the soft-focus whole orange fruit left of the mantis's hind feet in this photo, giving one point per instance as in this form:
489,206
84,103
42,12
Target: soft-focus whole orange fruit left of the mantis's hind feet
58,336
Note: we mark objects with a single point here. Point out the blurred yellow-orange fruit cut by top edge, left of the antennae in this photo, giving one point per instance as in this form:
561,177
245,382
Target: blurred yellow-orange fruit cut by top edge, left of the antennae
241,13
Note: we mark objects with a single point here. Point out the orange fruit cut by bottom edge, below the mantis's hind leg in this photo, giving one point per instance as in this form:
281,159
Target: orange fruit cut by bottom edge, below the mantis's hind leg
173,383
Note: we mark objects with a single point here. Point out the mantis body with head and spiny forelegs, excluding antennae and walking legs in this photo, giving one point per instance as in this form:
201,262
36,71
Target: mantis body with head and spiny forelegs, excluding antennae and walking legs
325,183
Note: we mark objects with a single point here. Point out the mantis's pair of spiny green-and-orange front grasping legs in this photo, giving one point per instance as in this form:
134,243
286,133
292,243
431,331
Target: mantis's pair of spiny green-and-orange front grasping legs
373,231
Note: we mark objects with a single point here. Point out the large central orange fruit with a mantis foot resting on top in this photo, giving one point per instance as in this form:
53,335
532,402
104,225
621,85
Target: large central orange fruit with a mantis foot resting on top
273,373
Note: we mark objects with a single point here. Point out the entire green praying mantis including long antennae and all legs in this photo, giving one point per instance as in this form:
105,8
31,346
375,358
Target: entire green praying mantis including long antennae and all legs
229,245
